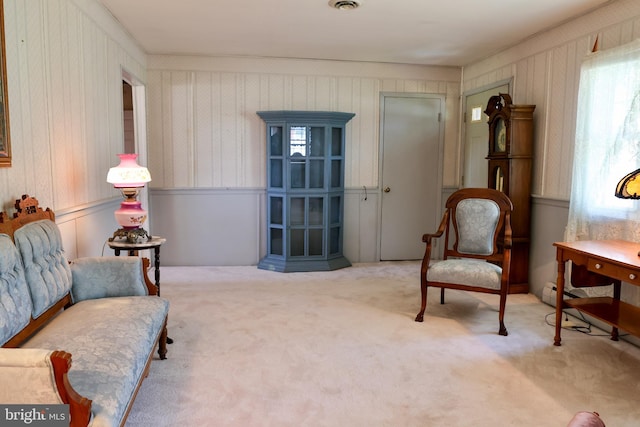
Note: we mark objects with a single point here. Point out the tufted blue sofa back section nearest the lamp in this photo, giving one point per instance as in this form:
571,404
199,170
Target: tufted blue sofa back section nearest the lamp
46,268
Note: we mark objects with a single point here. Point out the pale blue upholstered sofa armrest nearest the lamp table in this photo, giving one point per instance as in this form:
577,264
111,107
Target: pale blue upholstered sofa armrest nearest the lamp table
101,277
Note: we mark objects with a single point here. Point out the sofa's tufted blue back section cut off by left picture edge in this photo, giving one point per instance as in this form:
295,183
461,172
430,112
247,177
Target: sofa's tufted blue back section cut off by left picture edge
15,307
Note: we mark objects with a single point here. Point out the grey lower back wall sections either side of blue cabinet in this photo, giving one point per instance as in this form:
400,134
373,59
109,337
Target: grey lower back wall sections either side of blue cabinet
228,226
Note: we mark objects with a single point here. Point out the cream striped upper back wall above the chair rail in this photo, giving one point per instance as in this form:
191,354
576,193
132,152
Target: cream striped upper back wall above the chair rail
204,131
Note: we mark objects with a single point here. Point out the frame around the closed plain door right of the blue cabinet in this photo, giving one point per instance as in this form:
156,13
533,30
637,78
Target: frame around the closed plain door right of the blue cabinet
441,142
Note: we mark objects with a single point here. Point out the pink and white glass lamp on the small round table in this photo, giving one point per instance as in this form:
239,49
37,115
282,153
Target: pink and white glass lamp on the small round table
129,177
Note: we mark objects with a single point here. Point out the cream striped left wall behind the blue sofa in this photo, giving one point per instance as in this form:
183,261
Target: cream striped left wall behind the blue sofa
64,72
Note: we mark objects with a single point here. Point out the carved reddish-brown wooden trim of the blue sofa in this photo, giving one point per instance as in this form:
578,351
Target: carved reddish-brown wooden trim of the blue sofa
27,211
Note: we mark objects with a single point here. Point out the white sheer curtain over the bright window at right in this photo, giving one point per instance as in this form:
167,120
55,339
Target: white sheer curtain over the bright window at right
607,146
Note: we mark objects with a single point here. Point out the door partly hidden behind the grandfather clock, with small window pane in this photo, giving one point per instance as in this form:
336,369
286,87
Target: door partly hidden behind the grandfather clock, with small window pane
476,141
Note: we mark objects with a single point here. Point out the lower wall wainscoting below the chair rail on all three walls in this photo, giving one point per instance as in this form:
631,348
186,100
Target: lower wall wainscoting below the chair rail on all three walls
216,227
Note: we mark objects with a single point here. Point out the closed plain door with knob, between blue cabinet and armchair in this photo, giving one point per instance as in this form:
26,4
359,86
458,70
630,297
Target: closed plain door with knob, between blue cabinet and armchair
412,140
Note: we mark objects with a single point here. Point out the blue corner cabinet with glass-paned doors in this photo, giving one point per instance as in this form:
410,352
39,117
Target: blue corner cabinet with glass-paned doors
305,190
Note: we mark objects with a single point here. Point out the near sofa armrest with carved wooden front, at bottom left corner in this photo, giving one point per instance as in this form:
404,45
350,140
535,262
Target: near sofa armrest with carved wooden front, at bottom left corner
39,376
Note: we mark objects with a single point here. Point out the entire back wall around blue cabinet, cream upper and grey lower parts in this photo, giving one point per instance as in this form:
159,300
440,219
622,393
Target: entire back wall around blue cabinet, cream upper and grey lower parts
208,146
